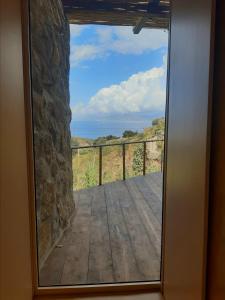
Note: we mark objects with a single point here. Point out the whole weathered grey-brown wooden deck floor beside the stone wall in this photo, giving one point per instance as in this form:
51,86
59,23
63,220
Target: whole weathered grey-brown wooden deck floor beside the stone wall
115,235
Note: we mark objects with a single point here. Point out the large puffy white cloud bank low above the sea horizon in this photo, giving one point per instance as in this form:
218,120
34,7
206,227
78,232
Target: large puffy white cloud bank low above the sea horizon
141,93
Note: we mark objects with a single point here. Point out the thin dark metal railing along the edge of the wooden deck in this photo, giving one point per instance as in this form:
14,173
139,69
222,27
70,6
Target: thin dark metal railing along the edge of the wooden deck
123,145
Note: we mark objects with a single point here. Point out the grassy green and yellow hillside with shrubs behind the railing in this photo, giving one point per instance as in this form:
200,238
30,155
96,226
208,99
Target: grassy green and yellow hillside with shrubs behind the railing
86,161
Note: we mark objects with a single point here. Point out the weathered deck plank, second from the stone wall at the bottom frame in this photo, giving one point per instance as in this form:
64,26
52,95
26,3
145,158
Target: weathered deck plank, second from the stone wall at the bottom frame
75,269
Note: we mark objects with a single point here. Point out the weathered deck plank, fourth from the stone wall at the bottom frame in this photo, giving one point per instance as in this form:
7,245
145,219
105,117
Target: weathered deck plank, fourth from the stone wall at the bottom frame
124,263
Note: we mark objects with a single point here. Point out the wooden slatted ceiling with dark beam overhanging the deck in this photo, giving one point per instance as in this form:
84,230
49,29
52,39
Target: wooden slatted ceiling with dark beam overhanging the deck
139,14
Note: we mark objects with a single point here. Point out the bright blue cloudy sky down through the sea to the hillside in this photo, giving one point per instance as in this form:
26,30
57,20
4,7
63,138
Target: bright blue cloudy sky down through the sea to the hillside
117,79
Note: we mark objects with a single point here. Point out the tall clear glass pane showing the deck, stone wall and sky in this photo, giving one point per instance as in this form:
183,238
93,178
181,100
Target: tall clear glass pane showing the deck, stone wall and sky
98,73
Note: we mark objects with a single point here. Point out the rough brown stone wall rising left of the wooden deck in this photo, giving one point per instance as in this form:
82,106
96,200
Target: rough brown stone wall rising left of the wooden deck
51,120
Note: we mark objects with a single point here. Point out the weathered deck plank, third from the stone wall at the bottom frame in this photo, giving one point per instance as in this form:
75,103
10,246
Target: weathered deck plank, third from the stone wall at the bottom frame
100,260
